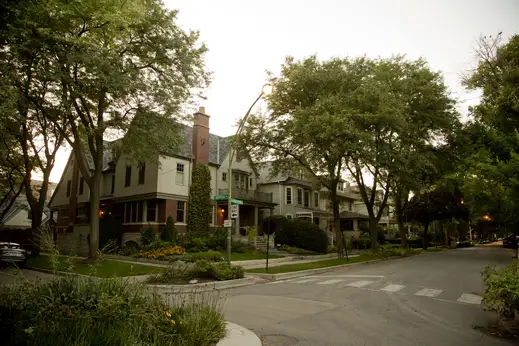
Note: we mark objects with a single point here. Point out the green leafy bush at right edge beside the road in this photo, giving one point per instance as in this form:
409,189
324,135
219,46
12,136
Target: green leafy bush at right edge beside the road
502,290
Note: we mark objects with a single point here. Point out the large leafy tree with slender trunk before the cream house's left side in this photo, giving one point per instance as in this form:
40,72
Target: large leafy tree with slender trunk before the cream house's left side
111,65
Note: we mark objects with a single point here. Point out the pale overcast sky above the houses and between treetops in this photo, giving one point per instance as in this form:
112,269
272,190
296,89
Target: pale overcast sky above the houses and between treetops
247,38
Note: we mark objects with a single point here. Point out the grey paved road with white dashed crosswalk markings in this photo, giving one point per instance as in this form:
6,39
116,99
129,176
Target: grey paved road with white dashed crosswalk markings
429,299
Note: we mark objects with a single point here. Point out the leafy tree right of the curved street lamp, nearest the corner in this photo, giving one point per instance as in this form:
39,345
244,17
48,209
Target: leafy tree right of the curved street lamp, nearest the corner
311,121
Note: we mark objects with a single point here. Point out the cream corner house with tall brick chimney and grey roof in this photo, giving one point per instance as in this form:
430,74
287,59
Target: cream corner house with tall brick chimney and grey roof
143,195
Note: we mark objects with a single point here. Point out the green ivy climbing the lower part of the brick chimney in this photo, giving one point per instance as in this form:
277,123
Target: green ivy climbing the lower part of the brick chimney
199,211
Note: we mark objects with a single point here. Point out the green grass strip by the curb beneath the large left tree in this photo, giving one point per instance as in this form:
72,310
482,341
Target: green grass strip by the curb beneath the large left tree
105,269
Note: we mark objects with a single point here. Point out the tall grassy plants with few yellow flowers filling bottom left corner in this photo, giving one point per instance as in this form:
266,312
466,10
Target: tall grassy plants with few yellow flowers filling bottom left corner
83,311
